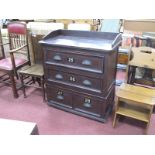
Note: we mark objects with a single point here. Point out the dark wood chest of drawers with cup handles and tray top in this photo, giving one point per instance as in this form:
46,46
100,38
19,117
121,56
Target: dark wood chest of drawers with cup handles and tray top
80,70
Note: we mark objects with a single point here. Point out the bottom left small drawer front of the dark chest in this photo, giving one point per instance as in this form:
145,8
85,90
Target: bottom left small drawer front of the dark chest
59,95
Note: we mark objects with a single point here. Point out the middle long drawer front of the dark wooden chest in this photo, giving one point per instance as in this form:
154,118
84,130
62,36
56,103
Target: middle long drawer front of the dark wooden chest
74,79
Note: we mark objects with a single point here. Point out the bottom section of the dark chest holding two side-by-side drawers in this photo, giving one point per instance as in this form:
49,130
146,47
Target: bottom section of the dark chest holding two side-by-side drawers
79,103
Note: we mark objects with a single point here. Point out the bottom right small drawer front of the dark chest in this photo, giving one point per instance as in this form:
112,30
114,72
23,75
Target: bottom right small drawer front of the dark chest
88,104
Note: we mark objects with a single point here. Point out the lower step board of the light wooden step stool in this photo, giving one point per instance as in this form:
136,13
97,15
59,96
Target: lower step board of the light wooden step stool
130,112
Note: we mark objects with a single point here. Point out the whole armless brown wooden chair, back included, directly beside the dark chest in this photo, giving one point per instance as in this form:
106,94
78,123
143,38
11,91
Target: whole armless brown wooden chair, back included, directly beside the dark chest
34,72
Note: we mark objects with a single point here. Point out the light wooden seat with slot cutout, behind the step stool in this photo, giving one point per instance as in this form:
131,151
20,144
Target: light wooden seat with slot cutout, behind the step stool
142,58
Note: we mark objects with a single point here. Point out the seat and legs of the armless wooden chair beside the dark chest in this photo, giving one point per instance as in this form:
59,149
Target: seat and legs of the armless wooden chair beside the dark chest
34,71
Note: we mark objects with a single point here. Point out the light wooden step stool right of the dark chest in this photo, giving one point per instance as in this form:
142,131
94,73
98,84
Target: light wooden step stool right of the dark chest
134,102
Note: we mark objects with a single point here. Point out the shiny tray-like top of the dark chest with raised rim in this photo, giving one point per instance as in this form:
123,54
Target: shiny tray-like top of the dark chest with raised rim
83,39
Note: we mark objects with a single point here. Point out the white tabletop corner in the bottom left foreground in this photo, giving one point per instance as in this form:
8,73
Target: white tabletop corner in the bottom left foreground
14,127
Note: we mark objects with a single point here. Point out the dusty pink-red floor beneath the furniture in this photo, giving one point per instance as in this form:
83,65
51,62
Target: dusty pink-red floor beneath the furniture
52,121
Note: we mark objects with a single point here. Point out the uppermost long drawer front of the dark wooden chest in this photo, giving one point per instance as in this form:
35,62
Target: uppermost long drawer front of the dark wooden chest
83,61
